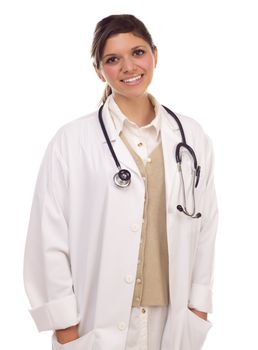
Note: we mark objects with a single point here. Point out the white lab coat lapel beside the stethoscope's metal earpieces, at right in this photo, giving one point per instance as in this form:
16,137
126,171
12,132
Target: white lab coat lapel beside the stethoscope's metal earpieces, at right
170,135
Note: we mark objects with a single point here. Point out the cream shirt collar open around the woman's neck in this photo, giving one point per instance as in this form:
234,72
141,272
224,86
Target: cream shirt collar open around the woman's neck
120,119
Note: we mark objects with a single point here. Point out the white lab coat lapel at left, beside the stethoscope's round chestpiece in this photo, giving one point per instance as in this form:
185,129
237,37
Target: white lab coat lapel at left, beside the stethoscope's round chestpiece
123,155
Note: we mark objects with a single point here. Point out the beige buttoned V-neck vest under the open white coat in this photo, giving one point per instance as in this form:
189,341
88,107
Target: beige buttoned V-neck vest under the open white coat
152,281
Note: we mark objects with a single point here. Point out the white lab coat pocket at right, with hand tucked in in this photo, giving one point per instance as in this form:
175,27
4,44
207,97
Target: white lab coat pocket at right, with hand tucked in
195,332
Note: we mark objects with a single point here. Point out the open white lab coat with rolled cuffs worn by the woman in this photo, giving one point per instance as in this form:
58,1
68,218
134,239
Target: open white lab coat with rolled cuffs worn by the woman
84,235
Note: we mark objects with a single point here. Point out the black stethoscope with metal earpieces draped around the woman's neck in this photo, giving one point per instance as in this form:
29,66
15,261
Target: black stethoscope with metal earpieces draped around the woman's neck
122,178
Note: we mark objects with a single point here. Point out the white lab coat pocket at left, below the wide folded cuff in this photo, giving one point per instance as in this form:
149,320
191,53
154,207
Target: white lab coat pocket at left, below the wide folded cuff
85,342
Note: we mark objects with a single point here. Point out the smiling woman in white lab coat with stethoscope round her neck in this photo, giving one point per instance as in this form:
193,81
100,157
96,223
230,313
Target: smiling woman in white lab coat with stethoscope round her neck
120,245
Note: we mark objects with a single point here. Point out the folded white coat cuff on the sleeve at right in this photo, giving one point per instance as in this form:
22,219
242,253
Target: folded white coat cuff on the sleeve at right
201,298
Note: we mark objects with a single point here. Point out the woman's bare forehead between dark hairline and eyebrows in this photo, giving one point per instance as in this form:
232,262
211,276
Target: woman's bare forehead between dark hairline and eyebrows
123,42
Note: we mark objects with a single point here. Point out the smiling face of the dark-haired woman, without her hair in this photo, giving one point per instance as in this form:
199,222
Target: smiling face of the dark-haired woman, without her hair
127,65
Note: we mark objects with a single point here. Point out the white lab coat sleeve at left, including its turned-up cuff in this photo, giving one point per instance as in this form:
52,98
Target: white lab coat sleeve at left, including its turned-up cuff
47,272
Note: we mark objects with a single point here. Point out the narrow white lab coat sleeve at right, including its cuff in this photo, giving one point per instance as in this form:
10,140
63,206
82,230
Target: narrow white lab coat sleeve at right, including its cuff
202,277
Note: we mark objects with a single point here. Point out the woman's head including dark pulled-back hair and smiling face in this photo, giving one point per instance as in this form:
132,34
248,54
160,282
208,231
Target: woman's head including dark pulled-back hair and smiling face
124,52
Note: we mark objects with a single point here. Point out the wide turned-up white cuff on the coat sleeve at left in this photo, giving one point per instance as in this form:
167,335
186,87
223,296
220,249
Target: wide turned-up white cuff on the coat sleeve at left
57,314
